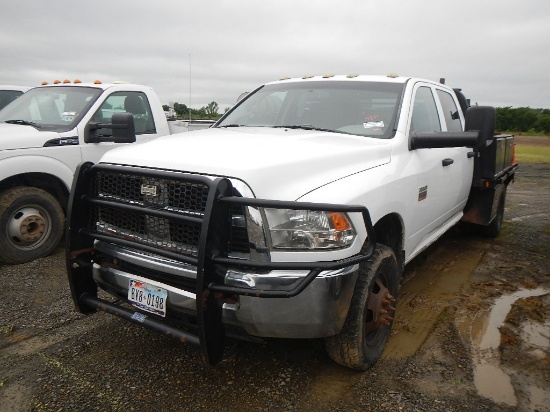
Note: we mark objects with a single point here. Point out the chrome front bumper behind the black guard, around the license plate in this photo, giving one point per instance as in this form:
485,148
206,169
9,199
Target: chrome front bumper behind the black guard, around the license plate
319,311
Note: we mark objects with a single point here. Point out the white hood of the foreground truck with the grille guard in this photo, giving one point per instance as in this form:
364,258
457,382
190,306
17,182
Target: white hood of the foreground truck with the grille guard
276,163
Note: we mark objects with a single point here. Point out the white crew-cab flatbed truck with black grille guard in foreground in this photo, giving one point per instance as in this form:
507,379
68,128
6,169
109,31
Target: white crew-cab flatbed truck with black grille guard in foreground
292,217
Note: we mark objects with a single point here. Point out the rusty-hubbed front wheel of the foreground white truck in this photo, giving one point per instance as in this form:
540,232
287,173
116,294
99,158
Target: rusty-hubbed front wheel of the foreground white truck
367,327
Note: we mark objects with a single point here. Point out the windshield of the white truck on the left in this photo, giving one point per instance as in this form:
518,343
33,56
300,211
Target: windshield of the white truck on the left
56,108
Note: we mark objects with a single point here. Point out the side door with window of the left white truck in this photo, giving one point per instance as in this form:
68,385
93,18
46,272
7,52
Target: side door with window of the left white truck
133,102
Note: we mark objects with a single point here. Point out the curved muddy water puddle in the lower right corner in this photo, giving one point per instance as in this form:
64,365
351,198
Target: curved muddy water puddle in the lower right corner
490,380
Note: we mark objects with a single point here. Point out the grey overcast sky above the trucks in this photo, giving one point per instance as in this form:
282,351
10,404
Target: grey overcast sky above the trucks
195,52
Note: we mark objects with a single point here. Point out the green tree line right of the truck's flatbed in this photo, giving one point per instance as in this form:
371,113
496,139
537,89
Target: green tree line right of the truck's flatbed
523,119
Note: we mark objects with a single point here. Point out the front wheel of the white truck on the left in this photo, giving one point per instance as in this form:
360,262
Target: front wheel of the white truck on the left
31,224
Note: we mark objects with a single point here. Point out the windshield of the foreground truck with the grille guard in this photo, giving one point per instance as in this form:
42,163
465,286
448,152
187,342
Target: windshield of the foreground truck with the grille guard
353,107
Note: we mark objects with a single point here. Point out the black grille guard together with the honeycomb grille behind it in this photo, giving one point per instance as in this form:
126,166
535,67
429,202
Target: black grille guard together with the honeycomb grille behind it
208,217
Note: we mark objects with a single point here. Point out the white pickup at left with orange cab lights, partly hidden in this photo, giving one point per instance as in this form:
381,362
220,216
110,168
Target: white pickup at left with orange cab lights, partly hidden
44,135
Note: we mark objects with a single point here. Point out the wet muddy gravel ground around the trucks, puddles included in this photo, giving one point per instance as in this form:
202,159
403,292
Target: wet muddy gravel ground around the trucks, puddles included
472,332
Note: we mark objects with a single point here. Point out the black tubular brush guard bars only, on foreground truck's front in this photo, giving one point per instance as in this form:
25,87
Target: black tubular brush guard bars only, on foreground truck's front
212,261
